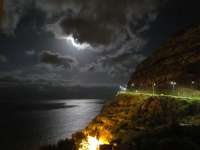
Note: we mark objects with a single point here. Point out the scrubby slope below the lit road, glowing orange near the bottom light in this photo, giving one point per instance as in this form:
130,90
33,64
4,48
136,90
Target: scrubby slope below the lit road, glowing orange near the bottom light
138,122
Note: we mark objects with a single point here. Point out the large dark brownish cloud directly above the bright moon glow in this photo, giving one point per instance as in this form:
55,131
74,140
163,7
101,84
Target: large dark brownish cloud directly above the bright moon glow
98,22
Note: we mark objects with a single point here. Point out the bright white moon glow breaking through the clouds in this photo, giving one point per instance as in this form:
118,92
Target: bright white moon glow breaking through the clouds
76,44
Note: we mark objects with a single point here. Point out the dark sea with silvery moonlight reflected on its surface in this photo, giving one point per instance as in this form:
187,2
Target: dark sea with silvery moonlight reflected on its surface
26,125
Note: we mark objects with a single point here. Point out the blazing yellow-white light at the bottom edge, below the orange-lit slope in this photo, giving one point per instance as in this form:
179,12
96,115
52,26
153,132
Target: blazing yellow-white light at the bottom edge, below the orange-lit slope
92,143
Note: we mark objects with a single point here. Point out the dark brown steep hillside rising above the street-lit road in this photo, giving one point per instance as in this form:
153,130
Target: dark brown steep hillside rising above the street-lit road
177,60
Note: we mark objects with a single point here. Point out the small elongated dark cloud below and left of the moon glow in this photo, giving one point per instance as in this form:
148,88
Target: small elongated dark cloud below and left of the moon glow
57,59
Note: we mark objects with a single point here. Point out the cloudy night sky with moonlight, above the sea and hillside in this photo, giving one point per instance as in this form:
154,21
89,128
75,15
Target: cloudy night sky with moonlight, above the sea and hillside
85,42
